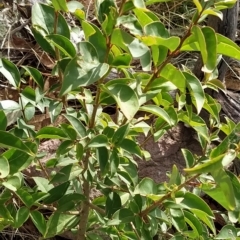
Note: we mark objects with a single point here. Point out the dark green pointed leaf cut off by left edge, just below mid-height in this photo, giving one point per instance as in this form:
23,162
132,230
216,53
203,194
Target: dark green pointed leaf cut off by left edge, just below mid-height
8,140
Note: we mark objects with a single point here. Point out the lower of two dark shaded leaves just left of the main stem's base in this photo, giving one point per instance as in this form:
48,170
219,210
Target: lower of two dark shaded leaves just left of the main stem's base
56,193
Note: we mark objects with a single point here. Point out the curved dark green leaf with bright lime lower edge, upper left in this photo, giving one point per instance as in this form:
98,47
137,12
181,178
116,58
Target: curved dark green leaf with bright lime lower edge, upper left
63,44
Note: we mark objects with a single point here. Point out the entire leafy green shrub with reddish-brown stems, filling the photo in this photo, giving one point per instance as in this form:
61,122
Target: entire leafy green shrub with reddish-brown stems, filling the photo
98,151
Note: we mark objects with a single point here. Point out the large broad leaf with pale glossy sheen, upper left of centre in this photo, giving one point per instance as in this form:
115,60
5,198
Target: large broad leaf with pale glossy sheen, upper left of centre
81,73
